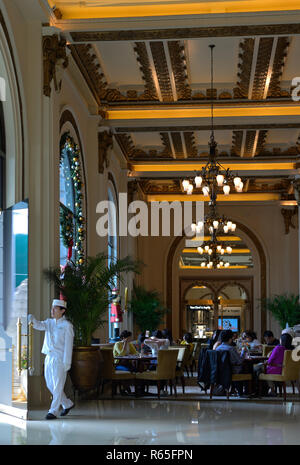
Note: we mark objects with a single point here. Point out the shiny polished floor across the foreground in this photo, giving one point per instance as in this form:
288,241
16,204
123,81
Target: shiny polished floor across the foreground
140,422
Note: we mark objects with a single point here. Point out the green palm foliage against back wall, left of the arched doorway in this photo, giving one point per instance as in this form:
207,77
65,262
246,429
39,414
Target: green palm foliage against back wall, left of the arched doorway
147,308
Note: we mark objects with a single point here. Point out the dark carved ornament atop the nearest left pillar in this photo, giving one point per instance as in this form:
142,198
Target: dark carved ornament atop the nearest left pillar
54,57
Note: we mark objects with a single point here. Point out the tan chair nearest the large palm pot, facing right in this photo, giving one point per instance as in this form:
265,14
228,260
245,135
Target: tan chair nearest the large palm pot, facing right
110,374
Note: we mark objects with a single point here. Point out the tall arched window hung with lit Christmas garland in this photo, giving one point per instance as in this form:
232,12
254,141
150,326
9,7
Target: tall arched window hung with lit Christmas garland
72,231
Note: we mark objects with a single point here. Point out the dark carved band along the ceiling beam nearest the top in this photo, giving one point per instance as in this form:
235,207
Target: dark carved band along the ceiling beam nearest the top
187,33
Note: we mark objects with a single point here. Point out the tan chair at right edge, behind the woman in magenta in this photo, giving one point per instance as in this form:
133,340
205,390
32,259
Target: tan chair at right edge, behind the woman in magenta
290,372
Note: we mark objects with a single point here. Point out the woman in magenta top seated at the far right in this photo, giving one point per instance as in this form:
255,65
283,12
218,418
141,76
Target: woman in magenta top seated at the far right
275,360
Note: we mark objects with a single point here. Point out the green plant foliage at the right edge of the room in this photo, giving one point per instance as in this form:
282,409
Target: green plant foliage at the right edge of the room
285,308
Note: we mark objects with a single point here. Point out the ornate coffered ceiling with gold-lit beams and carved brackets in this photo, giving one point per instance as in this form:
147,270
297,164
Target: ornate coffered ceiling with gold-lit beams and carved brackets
151,83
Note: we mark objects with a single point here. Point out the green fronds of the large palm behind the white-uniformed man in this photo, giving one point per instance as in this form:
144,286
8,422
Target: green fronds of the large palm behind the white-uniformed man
87,290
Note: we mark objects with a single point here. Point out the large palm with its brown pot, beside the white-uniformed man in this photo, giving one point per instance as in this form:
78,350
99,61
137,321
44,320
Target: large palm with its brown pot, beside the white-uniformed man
87,289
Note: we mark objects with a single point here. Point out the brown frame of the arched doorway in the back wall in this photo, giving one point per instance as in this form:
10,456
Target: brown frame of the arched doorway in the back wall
253,281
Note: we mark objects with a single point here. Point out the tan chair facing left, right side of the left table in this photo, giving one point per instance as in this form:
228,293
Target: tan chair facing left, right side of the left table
165,371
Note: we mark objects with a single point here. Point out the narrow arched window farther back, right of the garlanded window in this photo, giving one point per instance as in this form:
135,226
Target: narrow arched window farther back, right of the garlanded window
112,251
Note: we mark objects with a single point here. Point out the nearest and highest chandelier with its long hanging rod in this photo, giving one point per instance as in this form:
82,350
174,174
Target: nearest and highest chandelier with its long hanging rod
213,176
